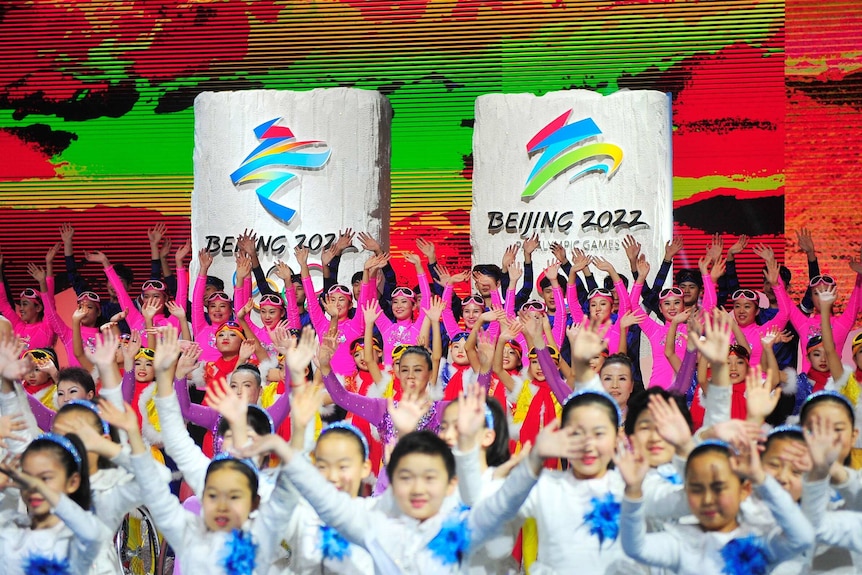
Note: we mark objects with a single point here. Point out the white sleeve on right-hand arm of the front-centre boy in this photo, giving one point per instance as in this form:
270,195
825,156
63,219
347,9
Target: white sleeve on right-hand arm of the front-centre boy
492,513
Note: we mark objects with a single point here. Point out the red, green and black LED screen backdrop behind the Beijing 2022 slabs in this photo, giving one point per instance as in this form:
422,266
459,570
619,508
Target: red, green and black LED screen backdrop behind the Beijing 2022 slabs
96,106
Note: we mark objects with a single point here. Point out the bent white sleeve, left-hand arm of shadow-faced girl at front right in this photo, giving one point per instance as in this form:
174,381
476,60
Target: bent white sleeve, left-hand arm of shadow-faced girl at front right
654,549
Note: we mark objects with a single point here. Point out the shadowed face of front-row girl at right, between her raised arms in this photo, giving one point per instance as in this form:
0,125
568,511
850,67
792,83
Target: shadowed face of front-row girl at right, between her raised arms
714,492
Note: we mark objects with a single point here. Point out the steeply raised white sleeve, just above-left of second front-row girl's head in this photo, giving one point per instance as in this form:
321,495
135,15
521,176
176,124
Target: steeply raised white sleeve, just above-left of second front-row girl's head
189,458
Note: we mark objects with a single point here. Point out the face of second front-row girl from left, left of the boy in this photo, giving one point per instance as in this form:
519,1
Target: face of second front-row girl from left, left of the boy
227,500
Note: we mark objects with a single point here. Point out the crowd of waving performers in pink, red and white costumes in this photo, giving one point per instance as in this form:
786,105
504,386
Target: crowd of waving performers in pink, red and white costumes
382,428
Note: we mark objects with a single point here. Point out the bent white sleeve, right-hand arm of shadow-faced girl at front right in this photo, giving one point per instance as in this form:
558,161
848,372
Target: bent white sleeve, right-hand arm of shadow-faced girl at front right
794,534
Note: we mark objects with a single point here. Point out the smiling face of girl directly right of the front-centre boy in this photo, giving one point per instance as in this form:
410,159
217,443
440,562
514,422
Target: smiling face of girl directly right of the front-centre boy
593,423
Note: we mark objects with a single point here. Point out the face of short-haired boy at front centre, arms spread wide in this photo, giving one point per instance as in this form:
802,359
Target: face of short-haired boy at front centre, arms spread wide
420,484
